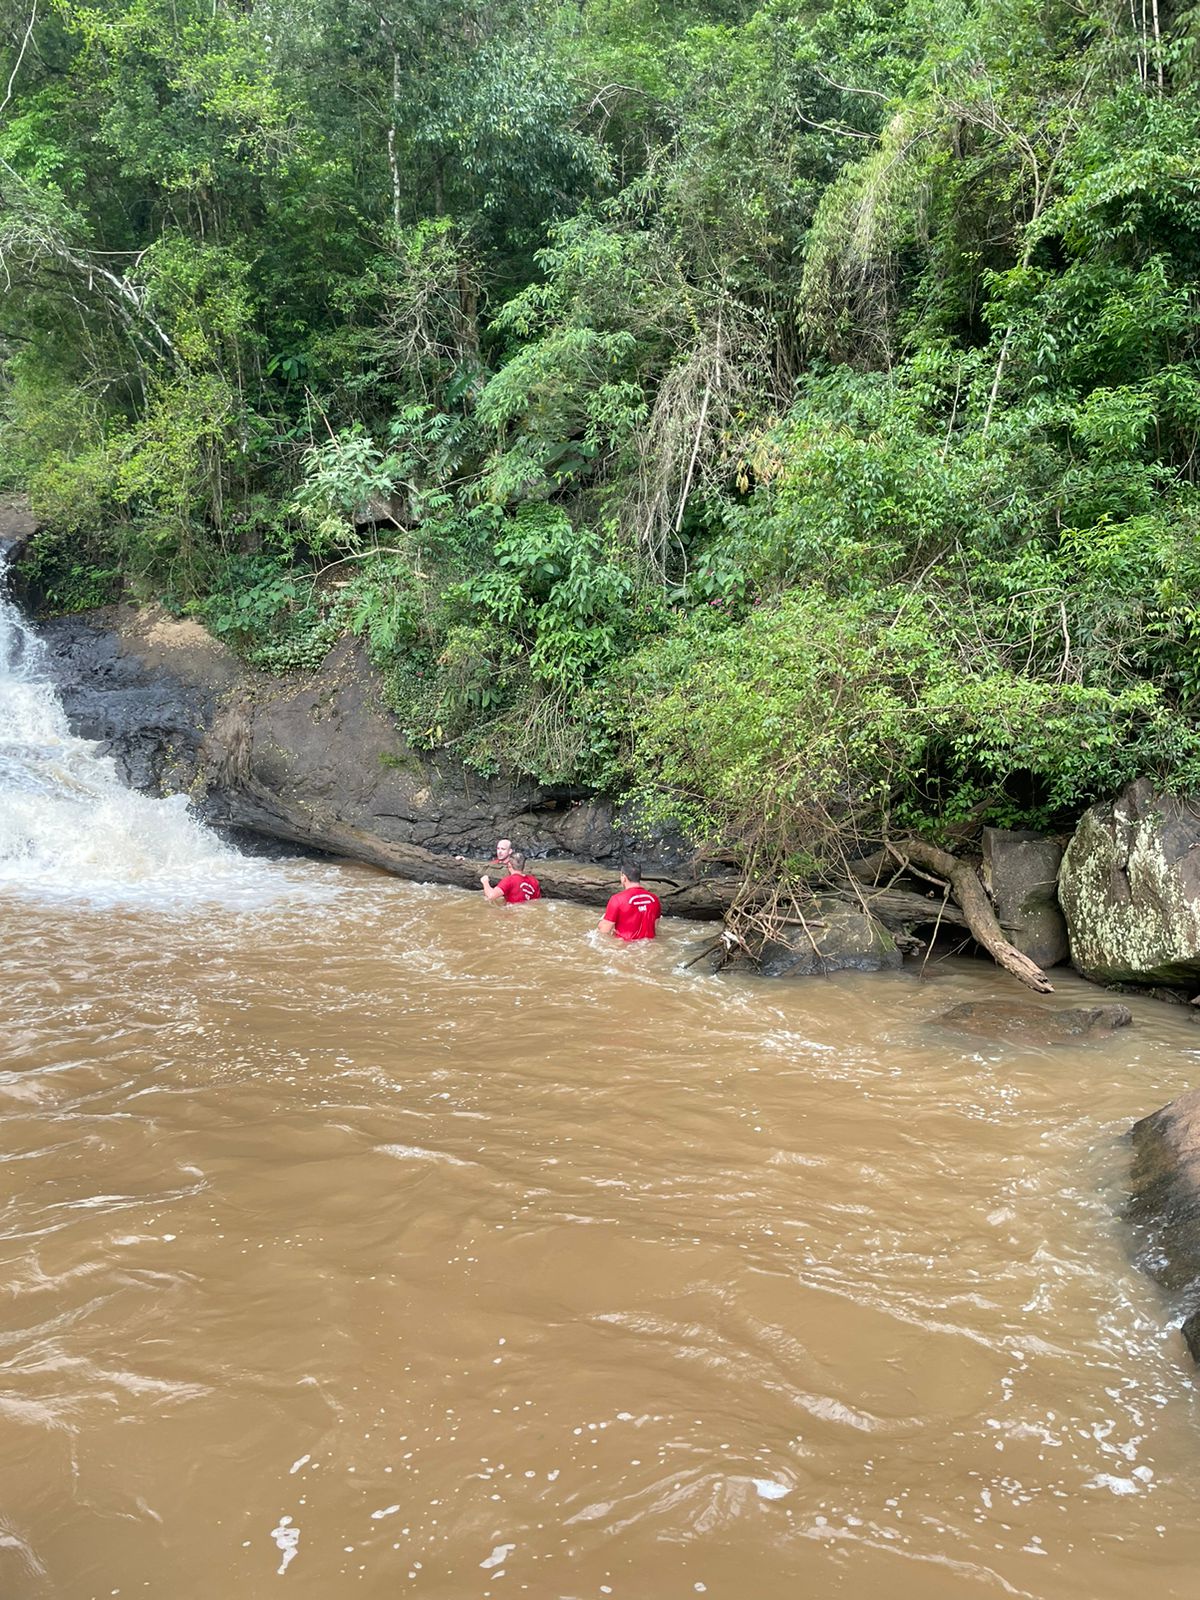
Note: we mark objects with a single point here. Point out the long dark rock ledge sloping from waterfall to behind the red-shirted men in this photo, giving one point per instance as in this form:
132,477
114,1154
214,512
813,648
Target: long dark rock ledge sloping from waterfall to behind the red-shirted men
319,762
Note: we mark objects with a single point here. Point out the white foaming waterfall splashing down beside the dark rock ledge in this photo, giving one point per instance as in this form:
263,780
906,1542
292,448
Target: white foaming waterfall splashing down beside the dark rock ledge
68,826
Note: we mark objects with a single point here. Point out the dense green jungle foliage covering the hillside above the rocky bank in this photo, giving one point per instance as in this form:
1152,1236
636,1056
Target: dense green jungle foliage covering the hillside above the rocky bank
786,415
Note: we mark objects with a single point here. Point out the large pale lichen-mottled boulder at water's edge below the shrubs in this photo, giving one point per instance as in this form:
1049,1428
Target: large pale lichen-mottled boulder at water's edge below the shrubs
1130,889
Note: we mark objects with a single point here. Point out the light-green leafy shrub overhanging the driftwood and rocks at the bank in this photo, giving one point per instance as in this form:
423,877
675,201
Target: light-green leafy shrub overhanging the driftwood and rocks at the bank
822,724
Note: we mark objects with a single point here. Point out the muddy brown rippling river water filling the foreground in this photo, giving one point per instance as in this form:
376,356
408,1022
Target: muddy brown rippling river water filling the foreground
366,1241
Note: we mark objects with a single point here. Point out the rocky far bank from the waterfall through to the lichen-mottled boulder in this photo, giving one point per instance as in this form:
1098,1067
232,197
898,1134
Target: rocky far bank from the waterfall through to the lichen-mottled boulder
318,761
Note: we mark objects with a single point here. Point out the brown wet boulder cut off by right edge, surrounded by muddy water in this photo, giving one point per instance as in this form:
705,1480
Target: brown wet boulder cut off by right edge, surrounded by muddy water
1166,1204
